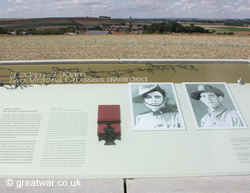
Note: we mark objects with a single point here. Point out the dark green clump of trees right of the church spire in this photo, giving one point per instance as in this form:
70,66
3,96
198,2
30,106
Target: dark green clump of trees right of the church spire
172,26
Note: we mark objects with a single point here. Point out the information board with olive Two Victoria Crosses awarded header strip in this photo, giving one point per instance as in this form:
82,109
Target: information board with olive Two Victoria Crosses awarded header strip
49,120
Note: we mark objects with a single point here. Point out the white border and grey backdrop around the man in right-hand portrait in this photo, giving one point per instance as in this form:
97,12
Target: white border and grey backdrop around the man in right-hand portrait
228,101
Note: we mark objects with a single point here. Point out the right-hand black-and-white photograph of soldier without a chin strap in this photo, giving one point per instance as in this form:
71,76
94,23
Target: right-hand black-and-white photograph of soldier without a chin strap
213,106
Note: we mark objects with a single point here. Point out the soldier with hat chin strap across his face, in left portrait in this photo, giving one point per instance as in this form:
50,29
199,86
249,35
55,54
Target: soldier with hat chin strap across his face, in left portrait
159,115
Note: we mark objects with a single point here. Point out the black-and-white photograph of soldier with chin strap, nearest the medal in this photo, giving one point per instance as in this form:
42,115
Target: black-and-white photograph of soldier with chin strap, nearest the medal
155,107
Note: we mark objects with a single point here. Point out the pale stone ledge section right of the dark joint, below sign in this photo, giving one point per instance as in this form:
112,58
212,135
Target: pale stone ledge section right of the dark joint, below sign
225,184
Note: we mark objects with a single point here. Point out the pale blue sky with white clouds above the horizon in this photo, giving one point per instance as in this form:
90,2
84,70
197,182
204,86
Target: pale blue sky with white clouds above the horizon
125,8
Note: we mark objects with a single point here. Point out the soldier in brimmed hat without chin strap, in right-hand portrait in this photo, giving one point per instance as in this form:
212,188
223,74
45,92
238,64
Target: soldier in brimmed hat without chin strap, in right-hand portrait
218,115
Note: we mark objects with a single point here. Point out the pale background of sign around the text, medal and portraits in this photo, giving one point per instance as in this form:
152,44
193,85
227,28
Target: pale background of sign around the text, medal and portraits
190,152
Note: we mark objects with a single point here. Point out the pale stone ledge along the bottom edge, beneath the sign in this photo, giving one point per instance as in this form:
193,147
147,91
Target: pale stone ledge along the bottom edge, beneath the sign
219,184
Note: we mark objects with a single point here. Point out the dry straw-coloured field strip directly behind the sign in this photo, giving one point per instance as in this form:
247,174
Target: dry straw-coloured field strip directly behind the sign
124,46
